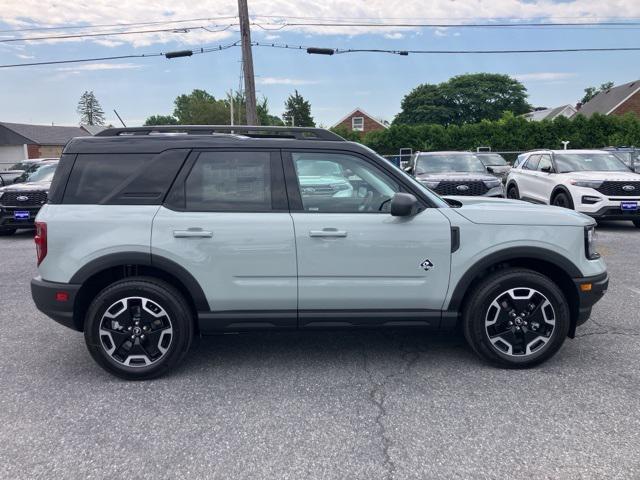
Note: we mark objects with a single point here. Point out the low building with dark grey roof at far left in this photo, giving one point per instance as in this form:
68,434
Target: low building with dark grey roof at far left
19,141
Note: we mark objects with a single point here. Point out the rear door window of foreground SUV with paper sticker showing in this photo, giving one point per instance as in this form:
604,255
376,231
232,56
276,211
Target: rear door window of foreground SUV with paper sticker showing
230,181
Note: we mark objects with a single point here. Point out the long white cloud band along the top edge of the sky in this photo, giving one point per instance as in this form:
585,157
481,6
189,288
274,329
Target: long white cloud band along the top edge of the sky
25,13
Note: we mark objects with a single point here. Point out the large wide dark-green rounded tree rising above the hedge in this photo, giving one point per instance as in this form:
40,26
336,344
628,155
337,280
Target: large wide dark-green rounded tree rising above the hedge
464,99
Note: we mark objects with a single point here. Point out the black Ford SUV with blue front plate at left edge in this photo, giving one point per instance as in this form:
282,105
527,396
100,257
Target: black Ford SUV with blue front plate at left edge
21,201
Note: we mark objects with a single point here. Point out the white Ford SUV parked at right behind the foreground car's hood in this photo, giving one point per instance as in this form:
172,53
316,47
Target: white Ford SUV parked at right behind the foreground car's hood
594,182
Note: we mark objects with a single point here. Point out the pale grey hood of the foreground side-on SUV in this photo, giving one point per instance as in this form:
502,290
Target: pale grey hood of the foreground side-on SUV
500,211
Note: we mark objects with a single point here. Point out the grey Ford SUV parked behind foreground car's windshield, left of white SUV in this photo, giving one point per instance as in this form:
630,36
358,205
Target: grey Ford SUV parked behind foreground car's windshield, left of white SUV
455,173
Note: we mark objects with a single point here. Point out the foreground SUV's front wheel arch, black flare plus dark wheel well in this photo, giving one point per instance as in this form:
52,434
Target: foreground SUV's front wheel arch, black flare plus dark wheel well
557,268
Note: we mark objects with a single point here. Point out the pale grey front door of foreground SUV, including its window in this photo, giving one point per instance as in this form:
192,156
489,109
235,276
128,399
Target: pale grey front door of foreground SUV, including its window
357,264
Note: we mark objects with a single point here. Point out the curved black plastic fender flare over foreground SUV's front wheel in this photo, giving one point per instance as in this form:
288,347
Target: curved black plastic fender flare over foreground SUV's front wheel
501,256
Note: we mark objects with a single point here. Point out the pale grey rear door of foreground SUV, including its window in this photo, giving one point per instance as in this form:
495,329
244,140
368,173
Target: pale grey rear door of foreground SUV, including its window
226,221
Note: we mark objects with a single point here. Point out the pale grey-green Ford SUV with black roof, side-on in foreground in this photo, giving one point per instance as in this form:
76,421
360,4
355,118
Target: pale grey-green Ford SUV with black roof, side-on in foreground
149,239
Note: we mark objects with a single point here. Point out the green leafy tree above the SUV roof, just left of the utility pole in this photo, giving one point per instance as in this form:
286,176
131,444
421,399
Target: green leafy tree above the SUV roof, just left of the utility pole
200,108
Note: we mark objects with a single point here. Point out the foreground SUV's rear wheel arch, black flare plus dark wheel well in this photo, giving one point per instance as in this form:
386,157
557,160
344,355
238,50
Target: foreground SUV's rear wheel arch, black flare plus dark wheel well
102,271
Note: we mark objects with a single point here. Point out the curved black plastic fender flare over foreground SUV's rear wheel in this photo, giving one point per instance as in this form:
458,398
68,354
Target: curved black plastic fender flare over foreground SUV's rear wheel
146,259
